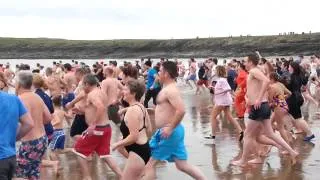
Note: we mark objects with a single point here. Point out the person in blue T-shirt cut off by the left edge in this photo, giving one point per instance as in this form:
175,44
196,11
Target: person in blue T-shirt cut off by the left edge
15,123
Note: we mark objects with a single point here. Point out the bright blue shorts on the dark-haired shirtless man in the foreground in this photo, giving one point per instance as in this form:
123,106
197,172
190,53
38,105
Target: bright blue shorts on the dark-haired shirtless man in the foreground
171,148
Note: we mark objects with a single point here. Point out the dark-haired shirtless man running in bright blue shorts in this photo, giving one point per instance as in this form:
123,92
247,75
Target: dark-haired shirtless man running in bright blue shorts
167,143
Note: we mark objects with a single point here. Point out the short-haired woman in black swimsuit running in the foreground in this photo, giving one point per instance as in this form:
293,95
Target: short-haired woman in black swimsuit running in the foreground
134,128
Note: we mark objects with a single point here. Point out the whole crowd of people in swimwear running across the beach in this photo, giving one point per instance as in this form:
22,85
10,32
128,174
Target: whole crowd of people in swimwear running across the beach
266,94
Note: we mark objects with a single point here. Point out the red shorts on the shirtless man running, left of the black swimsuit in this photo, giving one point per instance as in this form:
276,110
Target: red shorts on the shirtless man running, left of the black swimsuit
99,142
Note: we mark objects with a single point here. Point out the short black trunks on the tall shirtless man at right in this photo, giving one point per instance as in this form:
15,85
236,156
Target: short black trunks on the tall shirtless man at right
263,113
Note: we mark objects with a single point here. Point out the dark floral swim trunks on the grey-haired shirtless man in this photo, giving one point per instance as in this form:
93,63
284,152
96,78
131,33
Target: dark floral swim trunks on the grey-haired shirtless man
29,158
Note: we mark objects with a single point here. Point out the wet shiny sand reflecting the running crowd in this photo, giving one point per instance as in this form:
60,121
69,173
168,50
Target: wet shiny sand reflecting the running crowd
213,160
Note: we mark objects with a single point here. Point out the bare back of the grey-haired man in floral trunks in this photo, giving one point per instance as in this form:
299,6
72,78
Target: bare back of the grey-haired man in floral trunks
39,113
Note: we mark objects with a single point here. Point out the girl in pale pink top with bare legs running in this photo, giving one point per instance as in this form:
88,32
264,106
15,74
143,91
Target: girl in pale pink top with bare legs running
223,101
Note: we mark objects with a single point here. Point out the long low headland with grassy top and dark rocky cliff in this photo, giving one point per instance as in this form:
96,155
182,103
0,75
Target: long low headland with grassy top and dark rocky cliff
40,48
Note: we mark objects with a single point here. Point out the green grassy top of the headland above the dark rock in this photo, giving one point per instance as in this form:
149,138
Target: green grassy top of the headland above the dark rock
248,41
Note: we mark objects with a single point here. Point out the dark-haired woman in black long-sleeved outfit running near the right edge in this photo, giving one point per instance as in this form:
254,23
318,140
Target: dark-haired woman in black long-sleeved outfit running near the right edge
295,101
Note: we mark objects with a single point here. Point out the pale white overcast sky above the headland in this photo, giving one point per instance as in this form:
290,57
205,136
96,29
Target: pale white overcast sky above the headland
155,19
